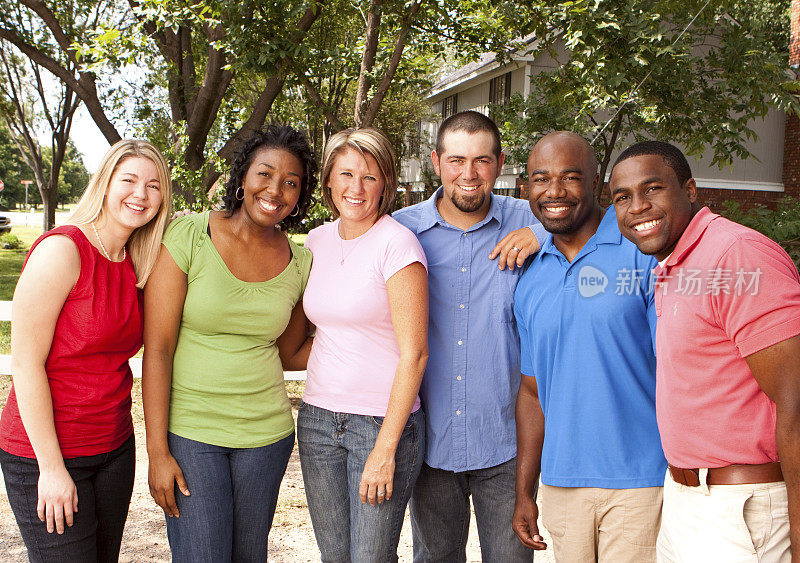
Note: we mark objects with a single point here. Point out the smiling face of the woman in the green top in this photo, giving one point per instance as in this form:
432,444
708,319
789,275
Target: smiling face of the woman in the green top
271,186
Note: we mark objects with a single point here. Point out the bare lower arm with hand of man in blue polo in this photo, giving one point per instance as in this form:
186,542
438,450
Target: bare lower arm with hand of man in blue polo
530,437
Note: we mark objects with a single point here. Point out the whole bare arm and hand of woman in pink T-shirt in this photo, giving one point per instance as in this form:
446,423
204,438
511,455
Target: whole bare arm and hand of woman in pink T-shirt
408,301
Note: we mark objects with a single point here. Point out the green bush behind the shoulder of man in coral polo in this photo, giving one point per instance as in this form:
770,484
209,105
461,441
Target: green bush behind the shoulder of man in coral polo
781,224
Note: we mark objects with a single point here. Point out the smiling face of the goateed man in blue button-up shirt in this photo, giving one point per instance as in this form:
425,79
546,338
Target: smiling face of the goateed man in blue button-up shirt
468,168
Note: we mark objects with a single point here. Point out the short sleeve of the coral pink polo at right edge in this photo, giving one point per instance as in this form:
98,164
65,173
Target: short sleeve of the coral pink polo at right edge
760,304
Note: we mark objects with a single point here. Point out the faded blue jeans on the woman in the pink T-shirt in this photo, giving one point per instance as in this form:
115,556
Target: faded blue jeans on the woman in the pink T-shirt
333,450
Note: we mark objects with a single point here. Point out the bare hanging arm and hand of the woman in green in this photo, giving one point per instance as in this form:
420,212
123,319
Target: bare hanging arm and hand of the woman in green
164,296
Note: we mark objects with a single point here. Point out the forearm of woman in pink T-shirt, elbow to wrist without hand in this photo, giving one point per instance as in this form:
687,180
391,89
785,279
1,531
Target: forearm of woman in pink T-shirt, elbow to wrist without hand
405,388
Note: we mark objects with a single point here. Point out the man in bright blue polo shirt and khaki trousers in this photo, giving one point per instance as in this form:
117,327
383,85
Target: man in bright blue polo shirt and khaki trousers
586,404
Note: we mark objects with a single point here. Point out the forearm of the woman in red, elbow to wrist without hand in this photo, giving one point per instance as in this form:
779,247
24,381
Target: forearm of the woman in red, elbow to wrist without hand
35,404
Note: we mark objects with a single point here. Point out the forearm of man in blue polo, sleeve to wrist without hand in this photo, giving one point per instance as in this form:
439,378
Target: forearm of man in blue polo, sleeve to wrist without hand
530,439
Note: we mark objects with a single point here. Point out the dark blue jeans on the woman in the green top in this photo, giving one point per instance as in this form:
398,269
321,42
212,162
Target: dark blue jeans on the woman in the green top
234,492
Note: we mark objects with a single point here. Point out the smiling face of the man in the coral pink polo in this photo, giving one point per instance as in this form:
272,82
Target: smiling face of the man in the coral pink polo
653,208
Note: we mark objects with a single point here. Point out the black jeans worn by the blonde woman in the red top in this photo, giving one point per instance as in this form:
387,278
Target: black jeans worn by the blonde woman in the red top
104,483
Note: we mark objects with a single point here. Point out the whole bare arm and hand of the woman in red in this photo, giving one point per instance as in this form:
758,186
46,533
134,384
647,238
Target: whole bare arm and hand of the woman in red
50,274
